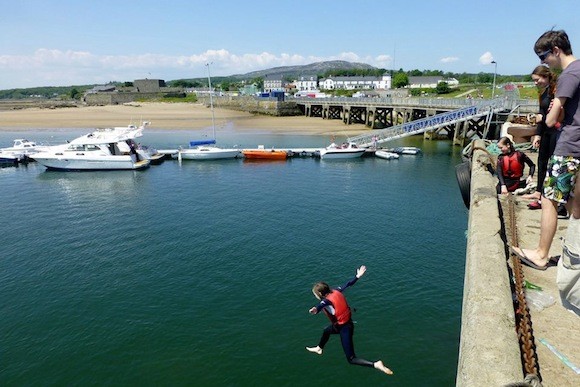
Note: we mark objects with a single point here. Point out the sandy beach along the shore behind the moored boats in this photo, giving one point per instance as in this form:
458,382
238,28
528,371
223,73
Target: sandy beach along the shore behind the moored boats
173,116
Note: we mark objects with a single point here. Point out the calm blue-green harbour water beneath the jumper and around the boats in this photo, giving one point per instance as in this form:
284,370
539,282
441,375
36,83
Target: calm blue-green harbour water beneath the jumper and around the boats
200,273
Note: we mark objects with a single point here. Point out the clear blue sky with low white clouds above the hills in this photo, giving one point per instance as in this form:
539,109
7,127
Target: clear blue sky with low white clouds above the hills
74,42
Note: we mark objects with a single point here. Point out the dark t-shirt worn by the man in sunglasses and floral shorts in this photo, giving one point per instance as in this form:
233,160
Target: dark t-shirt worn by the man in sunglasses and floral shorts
569,87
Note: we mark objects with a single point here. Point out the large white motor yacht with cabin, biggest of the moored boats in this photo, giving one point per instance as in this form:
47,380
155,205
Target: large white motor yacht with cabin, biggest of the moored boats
102,149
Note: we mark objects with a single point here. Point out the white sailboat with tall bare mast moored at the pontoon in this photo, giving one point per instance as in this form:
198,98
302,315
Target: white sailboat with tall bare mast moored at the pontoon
205,149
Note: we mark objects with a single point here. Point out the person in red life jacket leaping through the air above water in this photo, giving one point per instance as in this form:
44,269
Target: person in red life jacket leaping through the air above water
334,305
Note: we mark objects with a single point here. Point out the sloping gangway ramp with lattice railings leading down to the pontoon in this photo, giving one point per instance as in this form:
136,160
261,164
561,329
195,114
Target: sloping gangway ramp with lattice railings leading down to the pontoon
428,124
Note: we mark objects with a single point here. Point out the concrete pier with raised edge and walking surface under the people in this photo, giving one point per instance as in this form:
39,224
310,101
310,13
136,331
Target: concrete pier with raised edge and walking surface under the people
489,353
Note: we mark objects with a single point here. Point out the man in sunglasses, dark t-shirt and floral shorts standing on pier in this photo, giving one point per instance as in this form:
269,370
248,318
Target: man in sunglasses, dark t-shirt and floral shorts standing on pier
554,49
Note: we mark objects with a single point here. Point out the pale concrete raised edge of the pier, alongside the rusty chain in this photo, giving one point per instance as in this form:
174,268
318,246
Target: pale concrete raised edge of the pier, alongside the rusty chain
489,352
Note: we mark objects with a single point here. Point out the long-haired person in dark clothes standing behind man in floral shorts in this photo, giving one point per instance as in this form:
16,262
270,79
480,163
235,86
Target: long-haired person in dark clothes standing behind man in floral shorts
546,137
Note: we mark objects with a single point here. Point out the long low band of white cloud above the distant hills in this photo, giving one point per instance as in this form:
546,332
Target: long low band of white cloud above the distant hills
50,67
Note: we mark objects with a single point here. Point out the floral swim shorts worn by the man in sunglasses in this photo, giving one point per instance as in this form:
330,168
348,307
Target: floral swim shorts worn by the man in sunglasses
561,178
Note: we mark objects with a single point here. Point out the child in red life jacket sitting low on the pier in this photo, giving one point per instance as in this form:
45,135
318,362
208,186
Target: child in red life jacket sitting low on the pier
510,167
